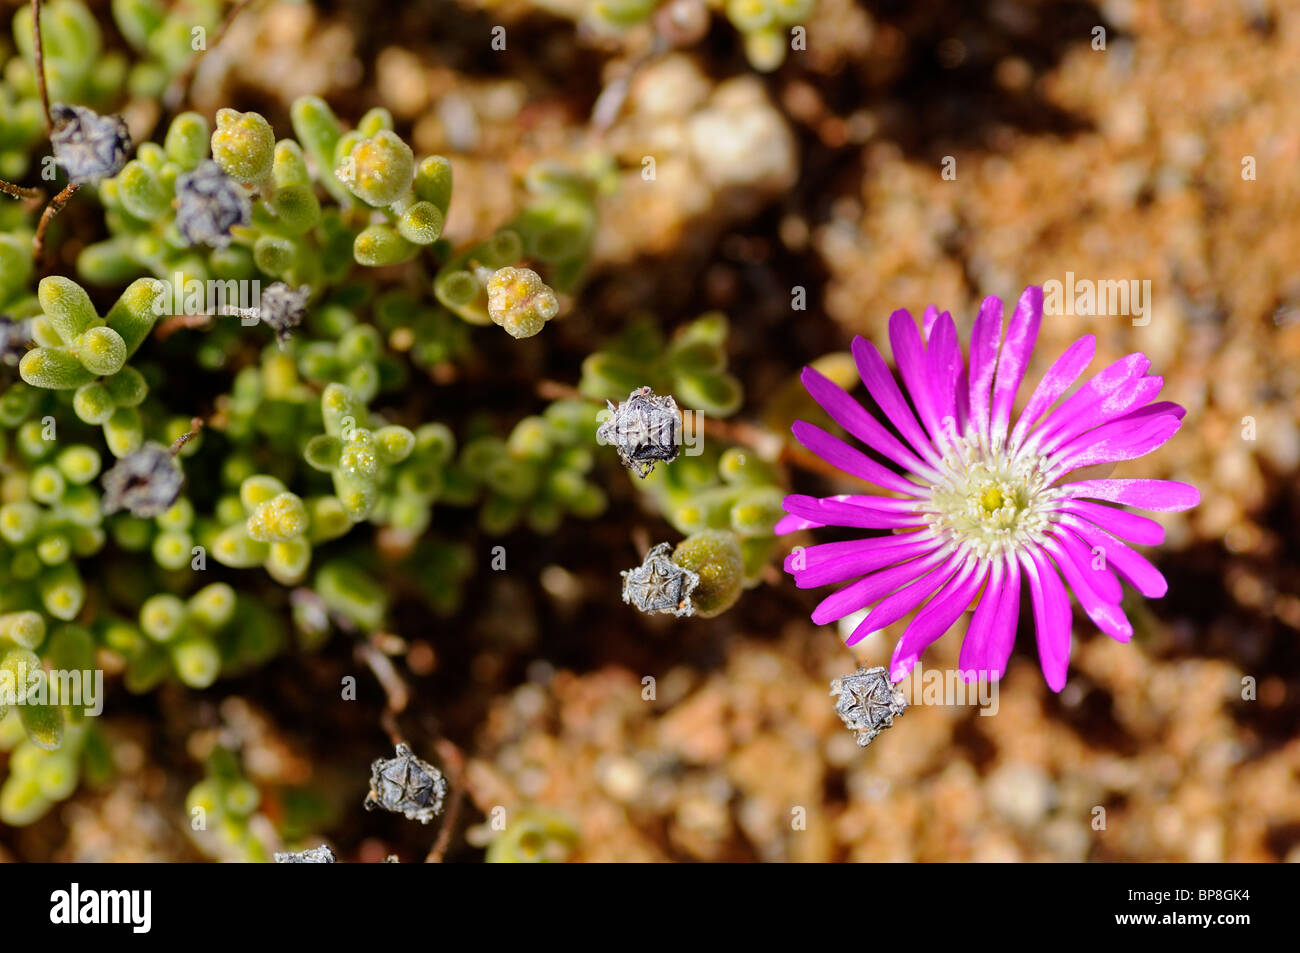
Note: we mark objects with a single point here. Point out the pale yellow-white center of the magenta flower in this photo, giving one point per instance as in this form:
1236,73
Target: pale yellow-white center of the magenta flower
989,503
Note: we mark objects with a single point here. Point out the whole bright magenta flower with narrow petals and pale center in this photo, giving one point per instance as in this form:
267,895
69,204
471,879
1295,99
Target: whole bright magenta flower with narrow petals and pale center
981,508
